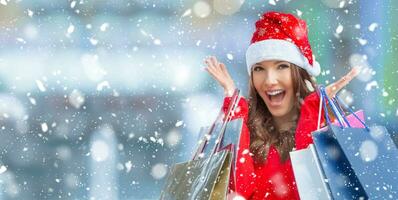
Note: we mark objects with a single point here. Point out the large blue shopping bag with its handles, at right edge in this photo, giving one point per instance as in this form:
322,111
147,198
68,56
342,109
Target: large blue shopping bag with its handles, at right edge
364,158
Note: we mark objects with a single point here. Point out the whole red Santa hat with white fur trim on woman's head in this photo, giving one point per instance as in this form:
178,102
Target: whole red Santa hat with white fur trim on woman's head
280,36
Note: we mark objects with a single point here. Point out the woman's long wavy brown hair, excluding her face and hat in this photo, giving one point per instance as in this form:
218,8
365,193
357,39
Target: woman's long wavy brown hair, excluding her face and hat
263,133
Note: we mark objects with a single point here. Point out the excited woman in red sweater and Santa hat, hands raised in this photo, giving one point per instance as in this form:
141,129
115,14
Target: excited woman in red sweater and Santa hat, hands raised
282,108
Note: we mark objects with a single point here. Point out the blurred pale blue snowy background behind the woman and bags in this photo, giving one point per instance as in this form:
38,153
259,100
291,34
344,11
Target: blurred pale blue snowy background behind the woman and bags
99,98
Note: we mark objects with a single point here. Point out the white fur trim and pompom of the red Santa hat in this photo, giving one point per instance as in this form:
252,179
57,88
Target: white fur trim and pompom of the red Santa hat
274,49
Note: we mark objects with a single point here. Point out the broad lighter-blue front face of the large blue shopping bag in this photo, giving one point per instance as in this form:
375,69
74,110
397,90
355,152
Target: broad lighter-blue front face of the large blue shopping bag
374,158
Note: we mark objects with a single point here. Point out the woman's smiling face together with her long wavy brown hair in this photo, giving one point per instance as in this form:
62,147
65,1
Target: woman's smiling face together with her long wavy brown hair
275,92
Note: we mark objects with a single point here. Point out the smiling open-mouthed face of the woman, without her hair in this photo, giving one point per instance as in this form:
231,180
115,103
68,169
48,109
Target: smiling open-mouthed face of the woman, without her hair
273,82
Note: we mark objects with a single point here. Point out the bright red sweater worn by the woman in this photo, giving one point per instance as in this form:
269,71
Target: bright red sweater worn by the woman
273,179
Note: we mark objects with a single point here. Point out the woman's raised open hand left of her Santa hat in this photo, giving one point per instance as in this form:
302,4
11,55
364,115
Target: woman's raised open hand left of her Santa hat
220,73
